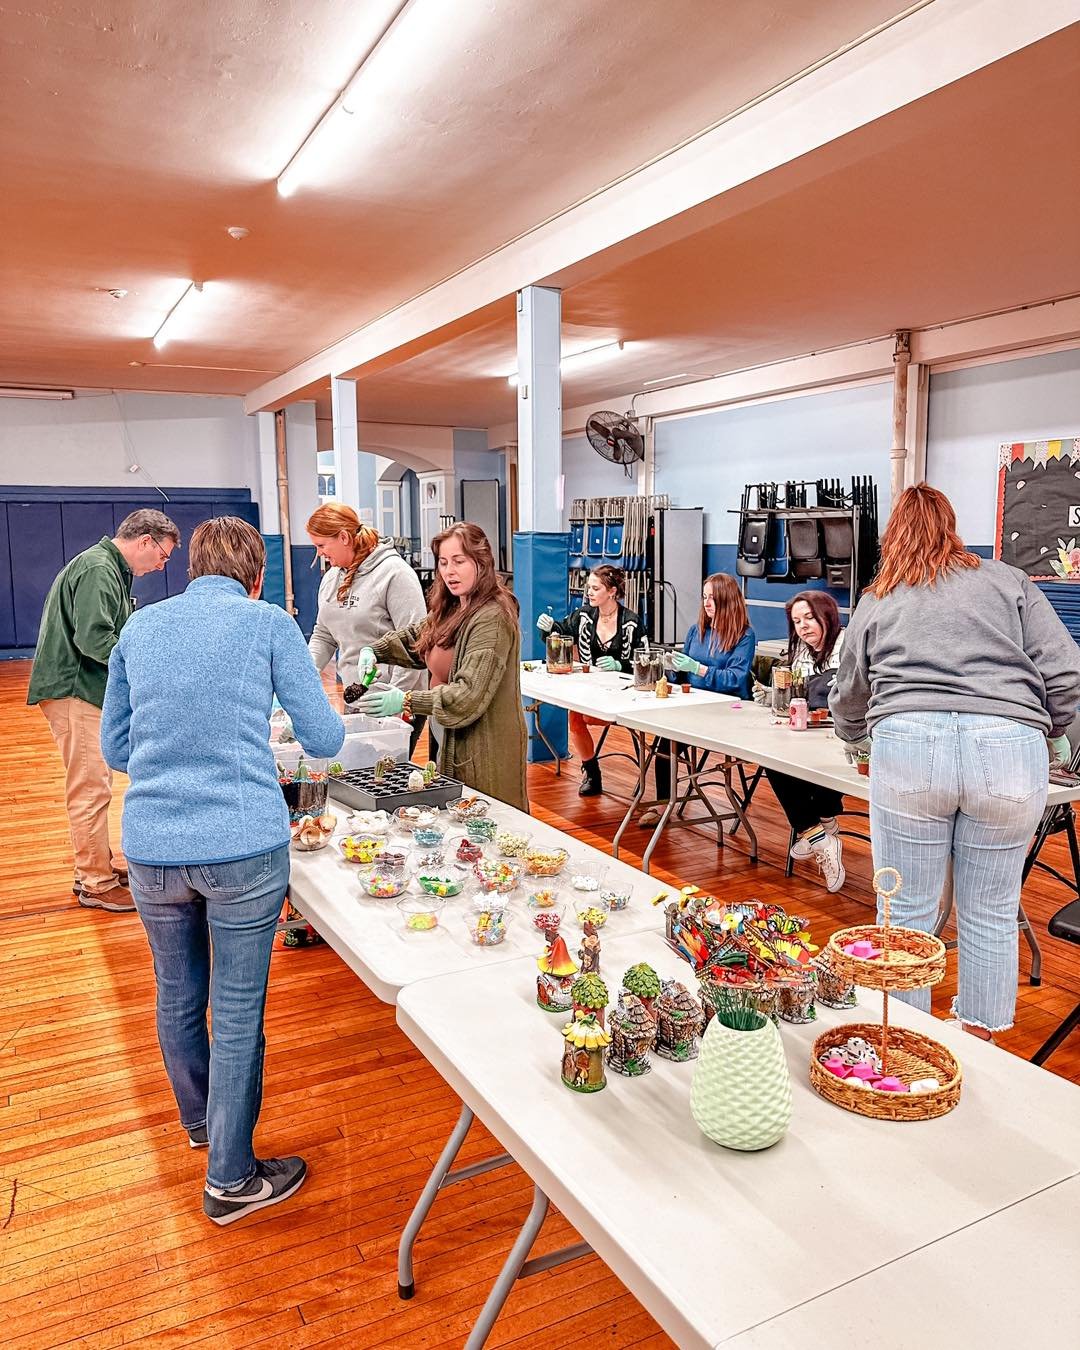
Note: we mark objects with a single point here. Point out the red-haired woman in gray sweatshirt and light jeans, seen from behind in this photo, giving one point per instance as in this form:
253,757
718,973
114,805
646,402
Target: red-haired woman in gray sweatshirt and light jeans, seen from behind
959,672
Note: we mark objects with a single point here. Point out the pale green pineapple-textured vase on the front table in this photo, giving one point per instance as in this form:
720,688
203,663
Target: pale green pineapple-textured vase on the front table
742,1090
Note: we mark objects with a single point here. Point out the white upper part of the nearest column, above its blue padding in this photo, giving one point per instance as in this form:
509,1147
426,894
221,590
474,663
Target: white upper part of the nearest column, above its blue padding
539,410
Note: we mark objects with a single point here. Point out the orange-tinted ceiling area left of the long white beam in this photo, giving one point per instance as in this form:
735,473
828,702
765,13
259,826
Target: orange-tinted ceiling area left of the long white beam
133,137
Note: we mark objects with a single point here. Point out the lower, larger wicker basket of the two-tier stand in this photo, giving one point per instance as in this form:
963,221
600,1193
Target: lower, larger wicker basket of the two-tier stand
908,1056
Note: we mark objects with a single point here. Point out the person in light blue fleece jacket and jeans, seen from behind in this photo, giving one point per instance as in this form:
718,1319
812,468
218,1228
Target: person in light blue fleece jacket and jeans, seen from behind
206,830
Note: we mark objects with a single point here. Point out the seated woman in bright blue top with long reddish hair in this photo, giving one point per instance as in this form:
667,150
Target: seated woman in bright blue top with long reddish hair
718,655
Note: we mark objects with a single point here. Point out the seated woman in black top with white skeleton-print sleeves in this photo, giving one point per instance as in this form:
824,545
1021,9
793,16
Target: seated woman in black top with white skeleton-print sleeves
607,635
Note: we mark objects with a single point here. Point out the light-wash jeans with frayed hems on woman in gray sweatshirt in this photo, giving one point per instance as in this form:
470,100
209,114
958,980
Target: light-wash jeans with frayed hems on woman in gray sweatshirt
969,789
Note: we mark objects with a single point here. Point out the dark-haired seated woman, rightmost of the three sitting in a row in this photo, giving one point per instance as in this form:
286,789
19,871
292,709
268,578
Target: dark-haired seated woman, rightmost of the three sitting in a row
815,643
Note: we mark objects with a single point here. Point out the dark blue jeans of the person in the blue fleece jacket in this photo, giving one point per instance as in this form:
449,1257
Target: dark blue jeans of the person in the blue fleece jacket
211,931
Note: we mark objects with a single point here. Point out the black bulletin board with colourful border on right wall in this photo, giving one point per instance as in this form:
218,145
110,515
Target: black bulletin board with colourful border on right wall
1039,508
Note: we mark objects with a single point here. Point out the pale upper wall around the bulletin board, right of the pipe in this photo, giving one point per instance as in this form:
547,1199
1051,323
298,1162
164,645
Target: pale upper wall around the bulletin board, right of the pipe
973,412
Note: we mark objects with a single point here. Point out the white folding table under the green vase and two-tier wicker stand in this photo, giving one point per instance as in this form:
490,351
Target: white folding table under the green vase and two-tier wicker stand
716,1243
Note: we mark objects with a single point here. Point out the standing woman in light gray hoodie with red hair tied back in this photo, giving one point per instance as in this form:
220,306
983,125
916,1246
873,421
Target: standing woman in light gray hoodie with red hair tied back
368,592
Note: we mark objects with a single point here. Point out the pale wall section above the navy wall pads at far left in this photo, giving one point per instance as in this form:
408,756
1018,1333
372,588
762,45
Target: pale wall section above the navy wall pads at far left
182,441
